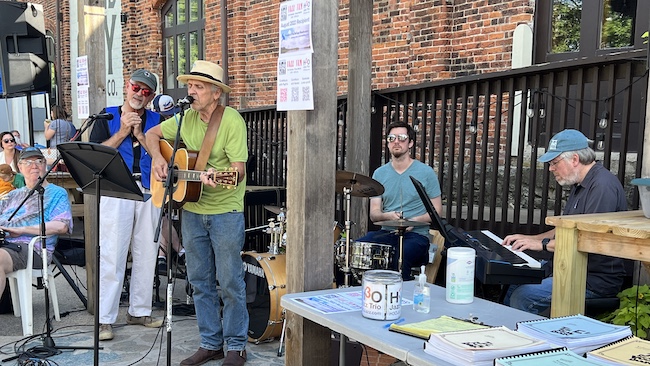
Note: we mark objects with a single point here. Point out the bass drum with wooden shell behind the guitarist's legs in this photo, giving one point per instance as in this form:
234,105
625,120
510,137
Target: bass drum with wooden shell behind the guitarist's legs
265,276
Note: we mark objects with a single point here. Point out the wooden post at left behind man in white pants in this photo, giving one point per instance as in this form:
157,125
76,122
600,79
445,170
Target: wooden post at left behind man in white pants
92,43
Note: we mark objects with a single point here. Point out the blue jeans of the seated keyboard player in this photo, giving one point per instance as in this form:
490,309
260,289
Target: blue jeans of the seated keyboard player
535,298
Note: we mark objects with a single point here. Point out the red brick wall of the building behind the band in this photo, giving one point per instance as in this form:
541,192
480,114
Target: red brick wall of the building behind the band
414,41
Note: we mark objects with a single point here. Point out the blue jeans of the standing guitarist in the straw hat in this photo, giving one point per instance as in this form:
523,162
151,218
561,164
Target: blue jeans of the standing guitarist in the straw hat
213,245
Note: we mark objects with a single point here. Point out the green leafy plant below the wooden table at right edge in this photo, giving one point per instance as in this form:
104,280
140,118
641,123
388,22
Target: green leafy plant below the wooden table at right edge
634,310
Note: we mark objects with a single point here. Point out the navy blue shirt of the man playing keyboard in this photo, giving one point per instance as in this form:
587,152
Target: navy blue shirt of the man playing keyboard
600,191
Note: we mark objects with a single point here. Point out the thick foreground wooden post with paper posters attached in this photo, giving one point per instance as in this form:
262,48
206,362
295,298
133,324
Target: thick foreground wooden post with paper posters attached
311,190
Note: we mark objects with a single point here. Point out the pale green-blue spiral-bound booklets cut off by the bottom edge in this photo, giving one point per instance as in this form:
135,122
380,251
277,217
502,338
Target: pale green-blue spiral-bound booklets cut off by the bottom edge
558,356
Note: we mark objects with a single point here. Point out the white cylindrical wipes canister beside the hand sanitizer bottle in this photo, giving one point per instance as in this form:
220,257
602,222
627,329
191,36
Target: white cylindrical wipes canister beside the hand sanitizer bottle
460,275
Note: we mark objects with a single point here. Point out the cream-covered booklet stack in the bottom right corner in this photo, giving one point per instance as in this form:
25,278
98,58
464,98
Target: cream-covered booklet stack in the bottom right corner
629,351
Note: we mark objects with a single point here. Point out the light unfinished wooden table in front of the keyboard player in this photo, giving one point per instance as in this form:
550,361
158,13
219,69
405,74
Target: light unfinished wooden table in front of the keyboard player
619,234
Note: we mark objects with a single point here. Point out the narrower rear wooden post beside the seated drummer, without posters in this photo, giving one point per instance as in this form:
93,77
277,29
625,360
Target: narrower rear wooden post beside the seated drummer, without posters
357,150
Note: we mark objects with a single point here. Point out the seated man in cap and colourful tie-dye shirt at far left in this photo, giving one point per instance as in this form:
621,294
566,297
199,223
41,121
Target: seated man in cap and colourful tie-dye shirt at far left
26,224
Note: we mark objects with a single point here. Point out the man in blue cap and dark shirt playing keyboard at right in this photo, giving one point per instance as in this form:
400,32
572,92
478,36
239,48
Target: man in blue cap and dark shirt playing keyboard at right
594,189
